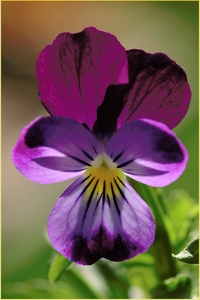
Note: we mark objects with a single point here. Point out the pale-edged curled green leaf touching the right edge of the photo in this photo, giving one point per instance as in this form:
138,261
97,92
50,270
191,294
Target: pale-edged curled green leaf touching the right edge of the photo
190,254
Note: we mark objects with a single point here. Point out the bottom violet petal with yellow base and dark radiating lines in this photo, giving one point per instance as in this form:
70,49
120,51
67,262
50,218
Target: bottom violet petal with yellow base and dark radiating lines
90,221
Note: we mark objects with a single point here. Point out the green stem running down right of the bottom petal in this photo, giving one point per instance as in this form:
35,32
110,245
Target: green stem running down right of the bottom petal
162,250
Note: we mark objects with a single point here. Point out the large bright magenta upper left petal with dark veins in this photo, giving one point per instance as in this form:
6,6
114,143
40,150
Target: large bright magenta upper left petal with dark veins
75,70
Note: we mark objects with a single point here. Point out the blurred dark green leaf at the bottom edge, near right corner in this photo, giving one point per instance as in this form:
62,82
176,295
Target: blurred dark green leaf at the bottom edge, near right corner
173,288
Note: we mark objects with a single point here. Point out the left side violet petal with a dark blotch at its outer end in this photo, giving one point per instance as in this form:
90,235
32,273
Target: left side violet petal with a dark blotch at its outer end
53,149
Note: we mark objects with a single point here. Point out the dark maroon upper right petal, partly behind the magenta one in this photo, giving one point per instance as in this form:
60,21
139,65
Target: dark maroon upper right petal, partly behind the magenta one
158,89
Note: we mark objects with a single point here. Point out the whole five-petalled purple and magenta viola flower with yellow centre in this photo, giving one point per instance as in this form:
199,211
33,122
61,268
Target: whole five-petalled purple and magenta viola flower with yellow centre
111,115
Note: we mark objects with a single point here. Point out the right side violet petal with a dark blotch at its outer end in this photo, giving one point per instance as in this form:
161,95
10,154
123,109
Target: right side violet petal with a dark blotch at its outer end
148,152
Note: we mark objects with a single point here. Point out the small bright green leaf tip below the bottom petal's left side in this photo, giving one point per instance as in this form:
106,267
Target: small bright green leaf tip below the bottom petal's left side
57,266
